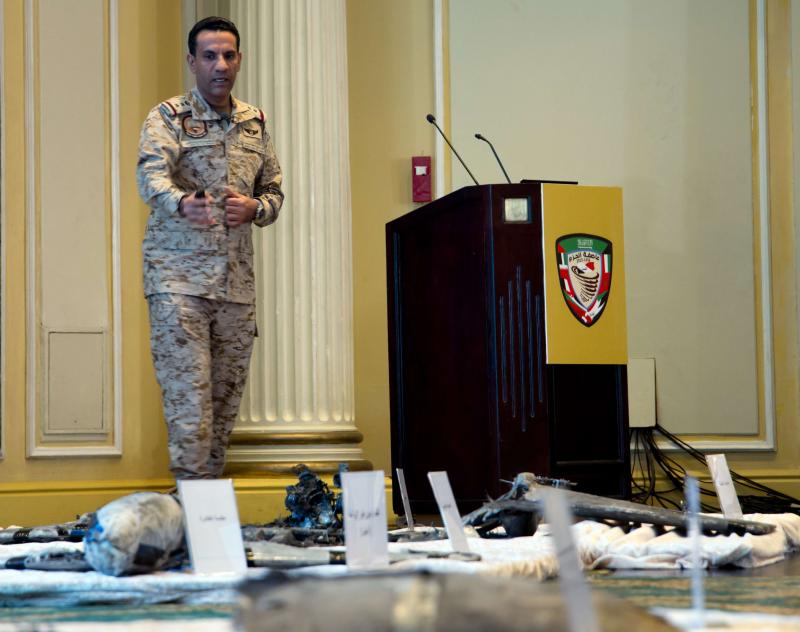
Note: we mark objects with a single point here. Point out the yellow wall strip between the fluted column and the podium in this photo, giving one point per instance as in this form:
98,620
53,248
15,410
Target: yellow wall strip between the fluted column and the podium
390,52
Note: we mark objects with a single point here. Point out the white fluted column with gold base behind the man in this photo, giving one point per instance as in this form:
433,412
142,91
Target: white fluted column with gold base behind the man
298,407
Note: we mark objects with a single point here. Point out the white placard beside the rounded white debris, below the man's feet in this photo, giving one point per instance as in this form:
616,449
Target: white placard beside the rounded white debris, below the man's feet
213,531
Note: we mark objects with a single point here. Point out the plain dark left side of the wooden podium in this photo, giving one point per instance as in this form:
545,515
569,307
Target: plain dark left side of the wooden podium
442,395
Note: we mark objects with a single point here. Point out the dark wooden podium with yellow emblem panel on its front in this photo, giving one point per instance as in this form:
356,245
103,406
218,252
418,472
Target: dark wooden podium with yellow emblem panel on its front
507,341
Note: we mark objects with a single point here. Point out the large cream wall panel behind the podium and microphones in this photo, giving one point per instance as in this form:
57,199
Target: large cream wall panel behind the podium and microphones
654,97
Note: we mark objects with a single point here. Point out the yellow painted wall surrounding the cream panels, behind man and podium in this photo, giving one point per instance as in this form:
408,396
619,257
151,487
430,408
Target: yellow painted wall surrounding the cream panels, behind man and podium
390,90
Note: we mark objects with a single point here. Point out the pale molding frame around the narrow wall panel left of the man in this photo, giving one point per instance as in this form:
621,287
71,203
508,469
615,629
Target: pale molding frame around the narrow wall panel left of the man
34,329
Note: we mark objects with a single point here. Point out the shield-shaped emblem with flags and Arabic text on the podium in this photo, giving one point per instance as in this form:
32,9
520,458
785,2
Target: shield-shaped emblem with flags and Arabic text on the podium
584,270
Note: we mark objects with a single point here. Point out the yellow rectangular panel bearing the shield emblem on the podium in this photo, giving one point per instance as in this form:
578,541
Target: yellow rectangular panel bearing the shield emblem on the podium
584,271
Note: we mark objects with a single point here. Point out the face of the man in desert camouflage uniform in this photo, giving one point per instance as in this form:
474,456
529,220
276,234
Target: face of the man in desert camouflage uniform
215,65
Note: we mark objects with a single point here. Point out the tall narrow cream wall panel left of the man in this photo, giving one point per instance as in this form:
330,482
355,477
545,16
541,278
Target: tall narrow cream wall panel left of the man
71,227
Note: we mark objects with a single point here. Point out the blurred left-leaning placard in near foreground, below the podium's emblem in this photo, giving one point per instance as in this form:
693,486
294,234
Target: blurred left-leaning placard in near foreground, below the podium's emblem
581,616
